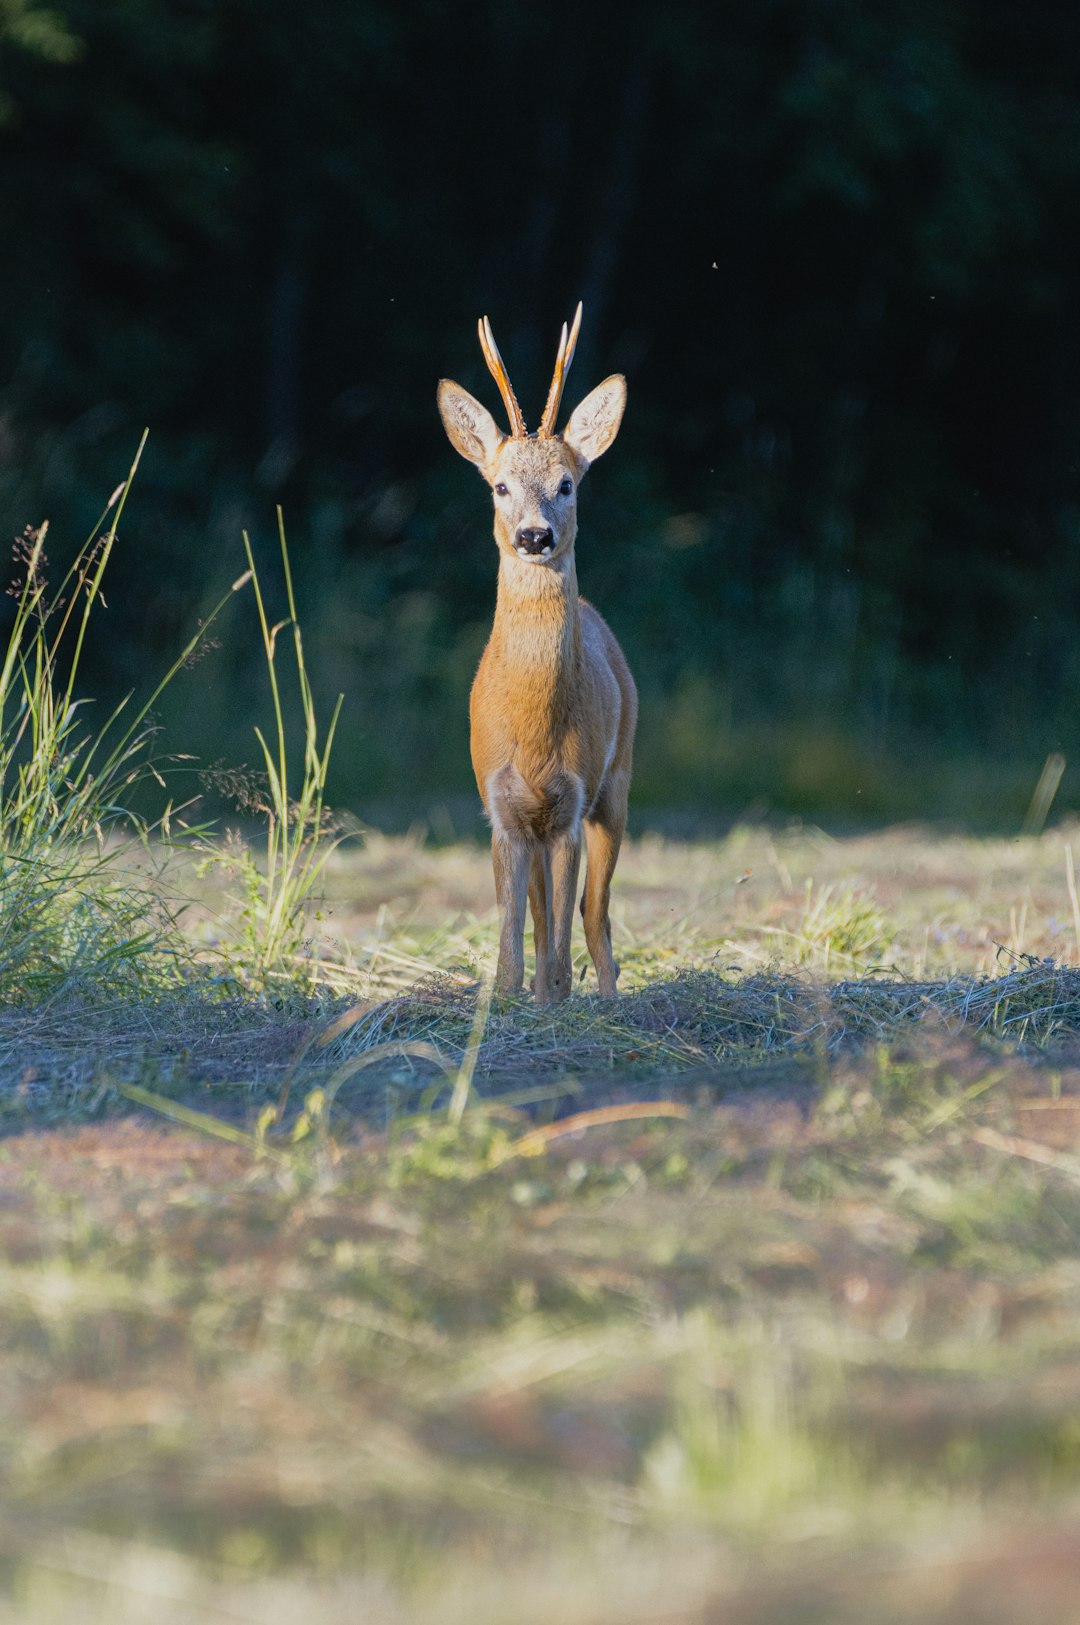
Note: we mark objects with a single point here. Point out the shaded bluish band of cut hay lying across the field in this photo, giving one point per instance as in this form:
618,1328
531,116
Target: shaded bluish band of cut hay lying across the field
238,1055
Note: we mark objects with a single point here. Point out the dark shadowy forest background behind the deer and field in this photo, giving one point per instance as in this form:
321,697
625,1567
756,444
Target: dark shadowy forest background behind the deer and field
834,245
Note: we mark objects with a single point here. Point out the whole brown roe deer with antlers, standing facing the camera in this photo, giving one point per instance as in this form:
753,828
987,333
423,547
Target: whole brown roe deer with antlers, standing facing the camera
553,706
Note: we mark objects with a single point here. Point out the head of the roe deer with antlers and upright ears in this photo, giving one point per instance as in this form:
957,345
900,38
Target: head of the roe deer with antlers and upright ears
534,477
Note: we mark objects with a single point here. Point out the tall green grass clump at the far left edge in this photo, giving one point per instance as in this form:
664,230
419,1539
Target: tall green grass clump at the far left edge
74,909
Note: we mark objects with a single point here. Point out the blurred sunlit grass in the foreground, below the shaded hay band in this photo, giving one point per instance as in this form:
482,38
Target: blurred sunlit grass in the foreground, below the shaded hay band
691,1356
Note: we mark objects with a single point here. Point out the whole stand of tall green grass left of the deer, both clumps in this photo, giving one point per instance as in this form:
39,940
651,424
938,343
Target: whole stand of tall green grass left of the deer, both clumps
79,911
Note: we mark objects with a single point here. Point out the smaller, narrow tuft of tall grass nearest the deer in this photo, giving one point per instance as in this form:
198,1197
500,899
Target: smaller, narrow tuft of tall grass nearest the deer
269,948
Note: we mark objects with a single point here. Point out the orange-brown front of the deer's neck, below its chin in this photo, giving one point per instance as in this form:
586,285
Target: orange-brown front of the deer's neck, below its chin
538,636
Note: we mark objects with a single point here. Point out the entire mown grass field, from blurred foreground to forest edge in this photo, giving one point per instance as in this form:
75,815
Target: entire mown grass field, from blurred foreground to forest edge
751,1296
